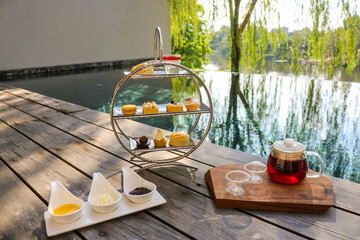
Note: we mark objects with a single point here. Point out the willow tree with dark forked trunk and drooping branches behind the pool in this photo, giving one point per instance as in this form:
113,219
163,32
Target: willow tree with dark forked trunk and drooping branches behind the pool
249,38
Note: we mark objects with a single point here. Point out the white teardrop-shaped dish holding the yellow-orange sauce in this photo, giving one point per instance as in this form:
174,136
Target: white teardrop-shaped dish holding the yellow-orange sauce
59,196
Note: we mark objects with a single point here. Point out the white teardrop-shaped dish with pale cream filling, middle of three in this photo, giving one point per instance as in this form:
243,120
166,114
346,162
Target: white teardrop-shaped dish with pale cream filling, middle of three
101,186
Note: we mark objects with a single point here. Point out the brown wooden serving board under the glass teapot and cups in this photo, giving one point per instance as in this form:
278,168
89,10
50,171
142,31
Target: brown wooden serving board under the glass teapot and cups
313,195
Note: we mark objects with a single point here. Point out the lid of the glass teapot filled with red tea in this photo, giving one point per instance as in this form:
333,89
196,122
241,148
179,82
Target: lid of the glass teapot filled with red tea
288,149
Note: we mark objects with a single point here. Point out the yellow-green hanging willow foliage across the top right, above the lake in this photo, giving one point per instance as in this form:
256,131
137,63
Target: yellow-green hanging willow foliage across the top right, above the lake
320,44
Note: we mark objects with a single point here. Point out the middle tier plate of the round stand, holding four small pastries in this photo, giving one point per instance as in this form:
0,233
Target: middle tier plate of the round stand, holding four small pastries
162,112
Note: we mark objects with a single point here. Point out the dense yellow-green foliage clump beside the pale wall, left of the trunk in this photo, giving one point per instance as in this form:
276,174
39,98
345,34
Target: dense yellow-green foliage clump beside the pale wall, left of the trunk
190,36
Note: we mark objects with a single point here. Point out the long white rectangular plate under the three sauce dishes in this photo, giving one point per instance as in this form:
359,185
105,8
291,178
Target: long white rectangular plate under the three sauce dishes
90,217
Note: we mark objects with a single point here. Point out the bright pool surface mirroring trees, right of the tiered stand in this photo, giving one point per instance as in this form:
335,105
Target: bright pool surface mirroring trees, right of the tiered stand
252,111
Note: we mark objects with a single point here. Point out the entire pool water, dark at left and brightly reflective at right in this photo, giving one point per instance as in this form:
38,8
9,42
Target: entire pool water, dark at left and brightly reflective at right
251,111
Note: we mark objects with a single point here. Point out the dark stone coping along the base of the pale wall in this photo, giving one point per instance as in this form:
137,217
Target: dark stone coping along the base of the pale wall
60,70
